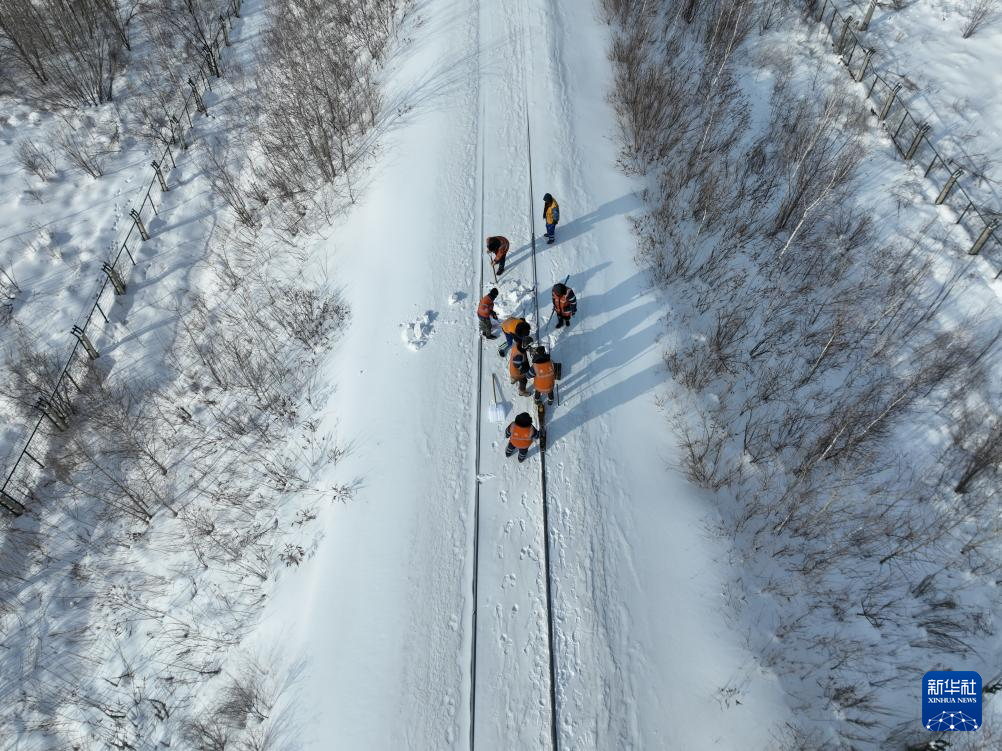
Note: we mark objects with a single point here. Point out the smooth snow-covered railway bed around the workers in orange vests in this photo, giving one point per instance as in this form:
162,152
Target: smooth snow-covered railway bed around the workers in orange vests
646,657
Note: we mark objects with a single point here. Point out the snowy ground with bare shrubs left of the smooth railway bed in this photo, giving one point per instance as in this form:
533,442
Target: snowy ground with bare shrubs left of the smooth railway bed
185,481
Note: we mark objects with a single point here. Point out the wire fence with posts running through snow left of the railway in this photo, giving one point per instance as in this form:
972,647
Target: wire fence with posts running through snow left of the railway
57,408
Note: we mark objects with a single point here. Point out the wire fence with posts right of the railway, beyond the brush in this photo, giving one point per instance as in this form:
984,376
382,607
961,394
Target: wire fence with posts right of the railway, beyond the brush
911,136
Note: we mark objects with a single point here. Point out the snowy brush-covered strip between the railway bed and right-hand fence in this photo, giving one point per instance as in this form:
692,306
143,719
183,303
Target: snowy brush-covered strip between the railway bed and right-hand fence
837,346
